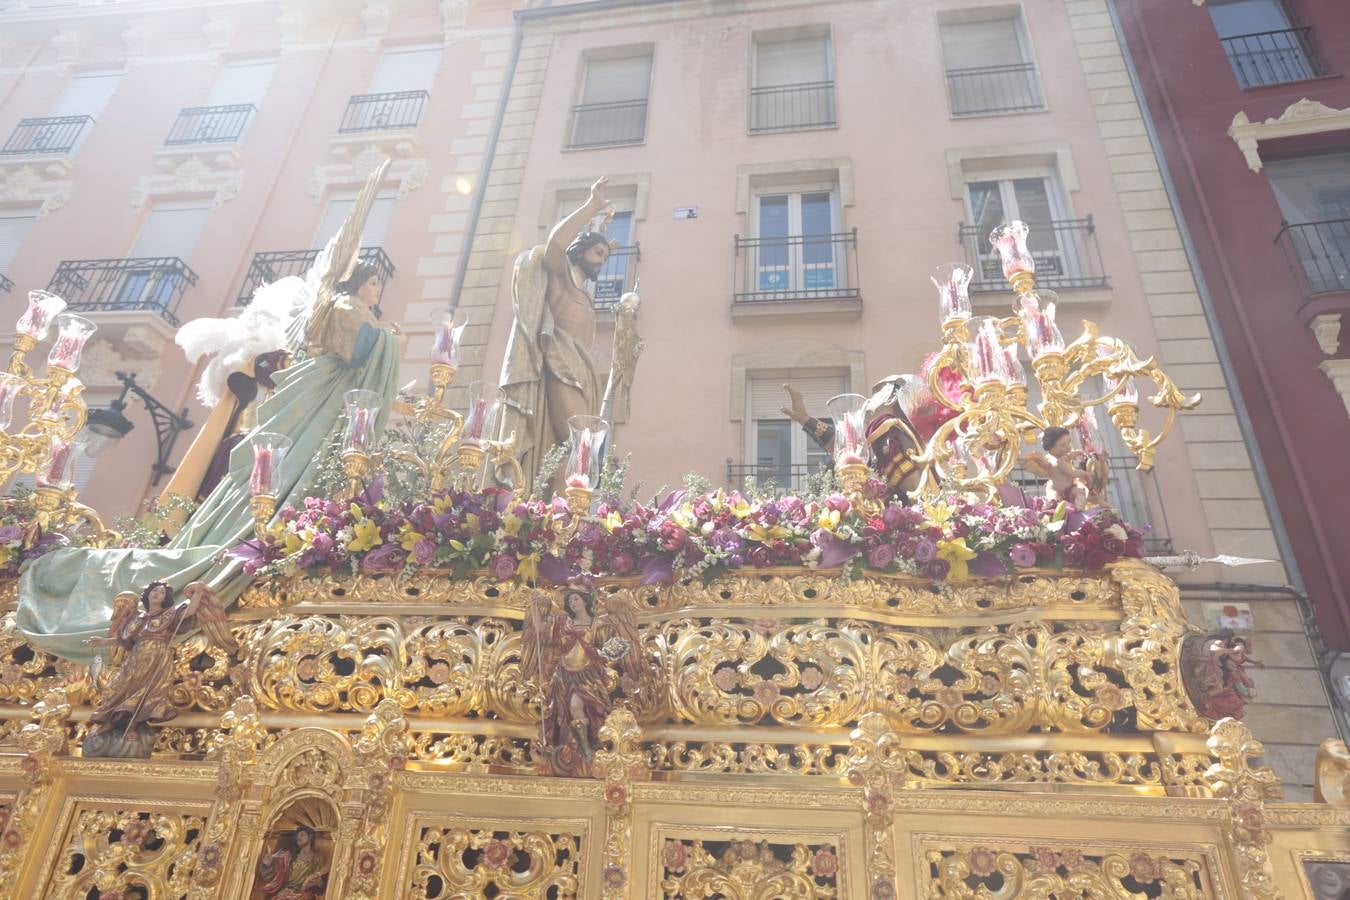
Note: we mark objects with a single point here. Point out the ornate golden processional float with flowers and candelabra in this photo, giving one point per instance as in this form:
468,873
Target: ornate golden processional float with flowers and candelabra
843,694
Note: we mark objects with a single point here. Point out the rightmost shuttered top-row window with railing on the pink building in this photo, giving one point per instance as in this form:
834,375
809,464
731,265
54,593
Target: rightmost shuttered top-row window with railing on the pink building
989,68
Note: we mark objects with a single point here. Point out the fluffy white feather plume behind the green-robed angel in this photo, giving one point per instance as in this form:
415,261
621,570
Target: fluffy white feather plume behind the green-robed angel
234,343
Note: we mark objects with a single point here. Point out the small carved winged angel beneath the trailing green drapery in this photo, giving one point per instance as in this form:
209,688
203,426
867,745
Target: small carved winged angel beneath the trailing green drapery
142,640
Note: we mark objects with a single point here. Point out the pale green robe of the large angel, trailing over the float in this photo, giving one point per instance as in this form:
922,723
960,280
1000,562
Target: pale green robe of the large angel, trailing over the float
67,597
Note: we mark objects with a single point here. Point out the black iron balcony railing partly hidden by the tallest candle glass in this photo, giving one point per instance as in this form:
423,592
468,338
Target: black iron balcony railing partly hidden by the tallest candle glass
1067,256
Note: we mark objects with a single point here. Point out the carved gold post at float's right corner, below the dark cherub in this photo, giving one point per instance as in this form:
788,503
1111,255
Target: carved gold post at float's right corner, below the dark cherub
1247,789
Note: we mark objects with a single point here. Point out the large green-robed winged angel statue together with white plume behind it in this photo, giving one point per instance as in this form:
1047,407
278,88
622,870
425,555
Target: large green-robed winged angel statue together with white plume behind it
325,325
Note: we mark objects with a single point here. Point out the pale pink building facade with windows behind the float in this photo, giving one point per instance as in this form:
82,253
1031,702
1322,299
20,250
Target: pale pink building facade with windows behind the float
786,176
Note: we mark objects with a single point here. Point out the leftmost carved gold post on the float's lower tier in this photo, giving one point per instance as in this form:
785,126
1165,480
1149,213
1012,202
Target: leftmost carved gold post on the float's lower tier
43,740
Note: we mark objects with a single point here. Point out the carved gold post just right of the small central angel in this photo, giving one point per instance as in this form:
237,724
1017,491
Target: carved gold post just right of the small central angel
619,764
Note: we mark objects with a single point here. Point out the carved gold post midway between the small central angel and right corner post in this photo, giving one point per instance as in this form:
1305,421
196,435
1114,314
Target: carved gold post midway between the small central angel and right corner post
874,763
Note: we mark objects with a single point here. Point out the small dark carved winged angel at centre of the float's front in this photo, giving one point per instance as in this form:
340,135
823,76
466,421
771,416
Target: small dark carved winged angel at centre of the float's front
580,660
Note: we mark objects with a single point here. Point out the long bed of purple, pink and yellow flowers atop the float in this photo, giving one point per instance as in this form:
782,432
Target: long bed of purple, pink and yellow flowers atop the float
685,536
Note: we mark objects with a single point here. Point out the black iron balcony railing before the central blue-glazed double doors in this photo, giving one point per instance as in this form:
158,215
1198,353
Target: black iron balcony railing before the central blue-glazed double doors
797,268
